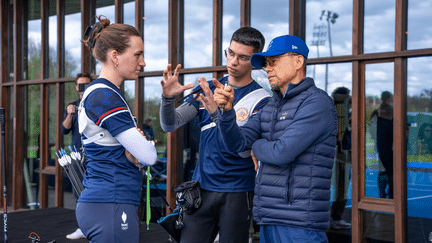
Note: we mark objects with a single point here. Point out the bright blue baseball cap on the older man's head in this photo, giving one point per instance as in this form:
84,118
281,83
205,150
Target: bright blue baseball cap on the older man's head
280,45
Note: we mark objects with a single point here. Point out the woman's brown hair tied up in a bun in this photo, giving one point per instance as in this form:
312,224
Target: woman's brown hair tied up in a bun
105,37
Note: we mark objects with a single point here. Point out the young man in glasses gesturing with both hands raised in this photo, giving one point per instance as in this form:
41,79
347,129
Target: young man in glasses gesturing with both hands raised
226,178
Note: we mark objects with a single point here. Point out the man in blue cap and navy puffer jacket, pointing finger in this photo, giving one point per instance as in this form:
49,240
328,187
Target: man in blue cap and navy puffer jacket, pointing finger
294,139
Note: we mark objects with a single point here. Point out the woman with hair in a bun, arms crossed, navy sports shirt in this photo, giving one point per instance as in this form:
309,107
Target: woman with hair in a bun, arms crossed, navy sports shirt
115,148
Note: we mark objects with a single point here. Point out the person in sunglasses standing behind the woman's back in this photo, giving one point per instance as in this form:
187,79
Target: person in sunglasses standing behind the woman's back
70,124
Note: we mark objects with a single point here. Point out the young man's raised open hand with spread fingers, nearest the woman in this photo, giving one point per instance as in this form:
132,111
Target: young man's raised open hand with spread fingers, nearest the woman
170,85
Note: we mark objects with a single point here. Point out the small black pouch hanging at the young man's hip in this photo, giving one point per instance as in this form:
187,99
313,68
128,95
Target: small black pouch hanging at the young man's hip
188,195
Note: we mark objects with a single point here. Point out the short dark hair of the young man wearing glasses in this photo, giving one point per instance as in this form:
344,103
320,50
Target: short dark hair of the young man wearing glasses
250,37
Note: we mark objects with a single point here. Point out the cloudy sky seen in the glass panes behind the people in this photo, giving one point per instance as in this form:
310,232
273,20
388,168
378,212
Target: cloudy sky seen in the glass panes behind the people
271,18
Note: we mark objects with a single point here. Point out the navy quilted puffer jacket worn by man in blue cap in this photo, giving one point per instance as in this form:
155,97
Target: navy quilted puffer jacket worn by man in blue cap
294,138
